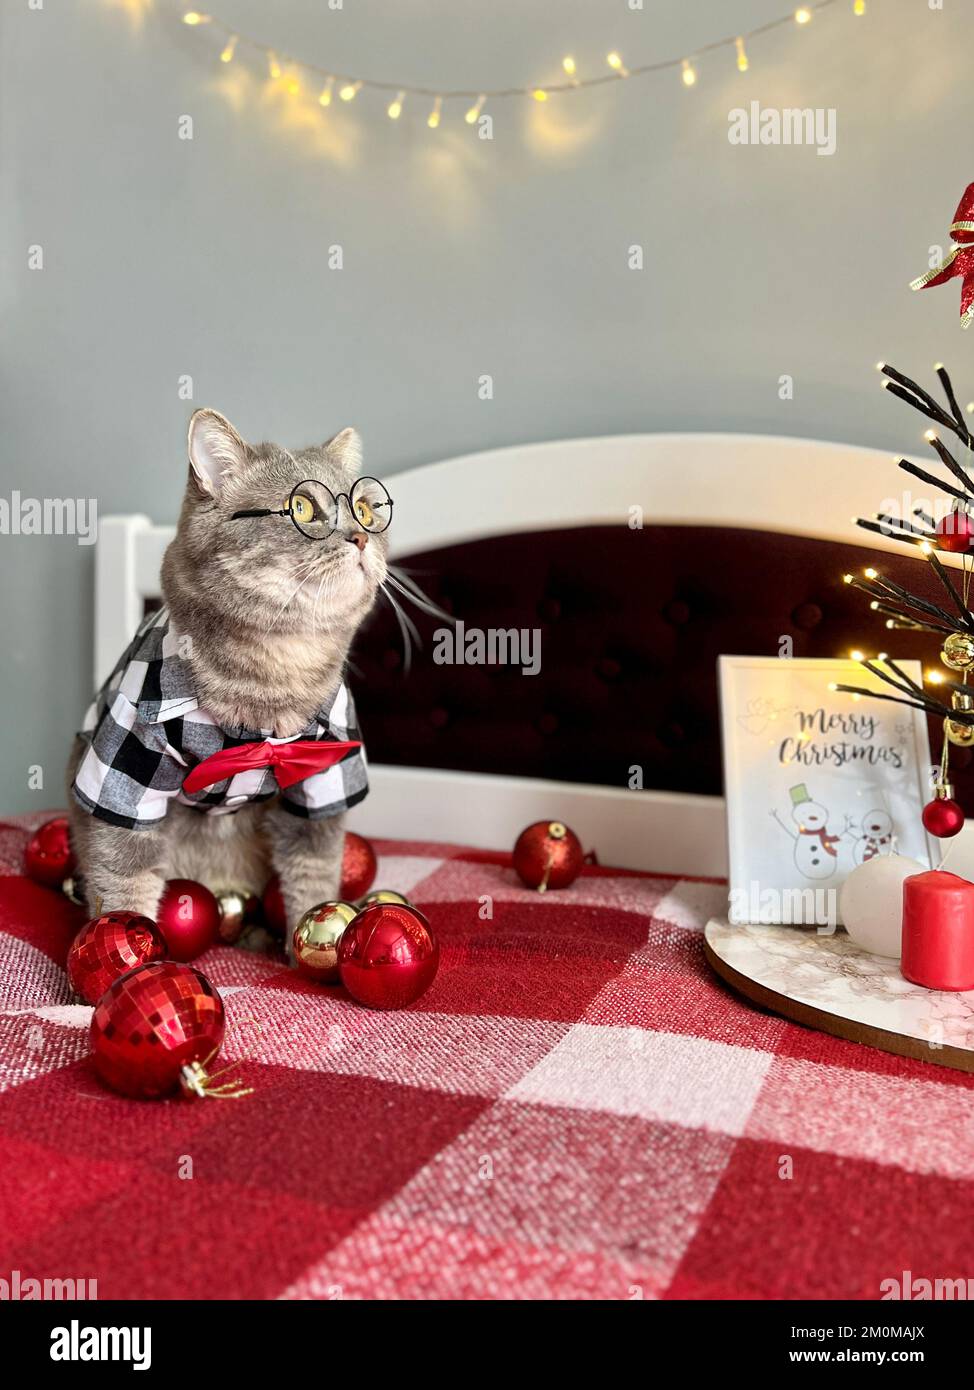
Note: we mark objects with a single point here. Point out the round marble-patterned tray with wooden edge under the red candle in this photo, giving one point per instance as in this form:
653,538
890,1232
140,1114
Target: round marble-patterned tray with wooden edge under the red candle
829,983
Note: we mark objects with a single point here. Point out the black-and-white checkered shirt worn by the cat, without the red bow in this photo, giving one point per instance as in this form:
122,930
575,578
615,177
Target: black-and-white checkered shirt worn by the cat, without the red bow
147,730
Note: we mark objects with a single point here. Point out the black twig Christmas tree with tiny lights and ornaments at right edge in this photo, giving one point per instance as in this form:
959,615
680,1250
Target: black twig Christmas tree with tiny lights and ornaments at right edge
952,618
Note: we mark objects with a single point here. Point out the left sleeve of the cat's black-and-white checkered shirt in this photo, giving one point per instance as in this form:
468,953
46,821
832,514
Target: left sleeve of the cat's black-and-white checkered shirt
129,774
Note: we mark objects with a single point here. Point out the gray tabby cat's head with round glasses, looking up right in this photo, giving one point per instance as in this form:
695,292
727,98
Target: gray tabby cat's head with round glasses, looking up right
263,569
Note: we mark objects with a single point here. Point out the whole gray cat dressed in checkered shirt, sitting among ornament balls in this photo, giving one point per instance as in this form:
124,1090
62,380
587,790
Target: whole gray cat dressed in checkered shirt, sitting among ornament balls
252,643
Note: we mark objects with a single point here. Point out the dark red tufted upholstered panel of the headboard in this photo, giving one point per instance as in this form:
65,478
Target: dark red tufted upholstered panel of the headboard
633,625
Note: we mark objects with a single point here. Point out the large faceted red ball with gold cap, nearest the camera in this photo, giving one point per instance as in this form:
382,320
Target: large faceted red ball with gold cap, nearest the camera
152,1024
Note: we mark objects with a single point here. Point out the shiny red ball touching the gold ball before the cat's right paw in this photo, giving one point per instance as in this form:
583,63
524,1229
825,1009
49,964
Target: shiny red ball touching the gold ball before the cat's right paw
388,956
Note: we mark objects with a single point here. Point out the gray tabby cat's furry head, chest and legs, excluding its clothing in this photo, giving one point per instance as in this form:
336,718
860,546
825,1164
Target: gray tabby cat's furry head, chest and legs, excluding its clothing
270,616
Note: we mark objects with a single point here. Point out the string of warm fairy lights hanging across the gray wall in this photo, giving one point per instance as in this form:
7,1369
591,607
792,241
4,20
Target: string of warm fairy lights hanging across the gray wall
301,77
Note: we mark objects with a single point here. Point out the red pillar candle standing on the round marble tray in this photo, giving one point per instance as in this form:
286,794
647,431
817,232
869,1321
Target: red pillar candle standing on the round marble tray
939,931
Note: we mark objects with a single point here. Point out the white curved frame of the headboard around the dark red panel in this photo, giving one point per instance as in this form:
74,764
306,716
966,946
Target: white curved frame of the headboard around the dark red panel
762,483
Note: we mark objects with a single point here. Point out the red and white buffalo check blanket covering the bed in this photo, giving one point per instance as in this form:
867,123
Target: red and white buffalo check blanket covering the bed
576,1110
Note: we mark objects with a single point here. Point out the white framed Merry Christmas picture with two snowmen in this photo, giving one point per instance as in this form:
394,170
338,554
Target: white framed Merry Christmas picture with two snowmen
844,778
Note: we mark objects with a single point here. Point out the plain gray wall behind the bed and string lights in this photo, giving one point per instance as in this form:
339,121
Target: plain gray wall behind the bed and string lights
209,258
